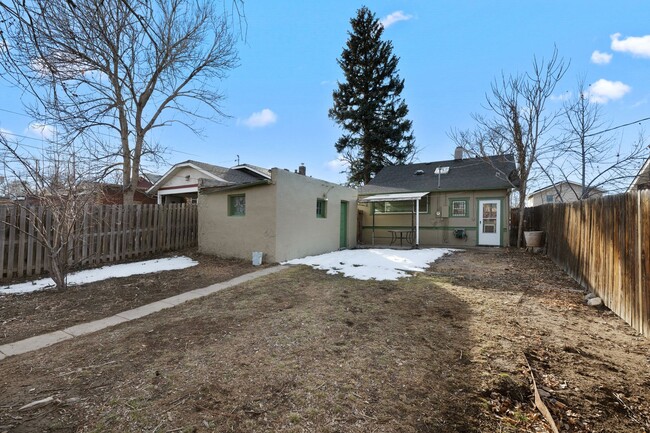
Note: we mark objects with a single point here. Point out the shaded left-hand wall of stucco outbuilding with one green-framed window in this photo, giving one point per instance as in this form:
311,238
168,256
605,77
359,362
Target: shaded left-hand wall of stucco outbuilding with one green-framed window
238,236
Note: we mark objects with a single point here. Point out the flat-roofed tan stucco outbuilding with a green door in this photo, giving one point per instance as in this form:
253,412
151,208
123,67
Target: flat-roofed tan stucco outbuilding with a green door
285,216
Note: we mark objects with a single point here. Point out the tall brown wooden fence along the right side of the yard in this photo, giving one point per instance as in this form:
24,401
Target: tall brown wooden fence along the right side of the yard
604,243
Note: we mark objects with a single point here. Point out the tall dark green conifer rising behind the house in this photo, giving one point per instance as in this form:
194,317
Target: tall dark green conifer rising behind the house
368,106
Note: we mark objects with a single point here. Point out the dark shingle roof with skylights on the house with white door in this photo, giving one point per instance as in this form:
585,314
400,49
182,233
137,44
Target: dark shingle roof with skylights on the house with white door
463,175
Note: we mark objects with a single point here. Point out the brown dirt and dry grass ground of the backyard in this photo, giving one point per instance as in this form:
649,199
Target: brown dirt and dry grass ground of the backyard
301,351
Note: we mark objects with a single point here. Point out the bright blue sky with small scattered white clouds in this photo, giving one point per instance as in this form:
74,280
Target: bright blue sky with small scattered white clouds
449,51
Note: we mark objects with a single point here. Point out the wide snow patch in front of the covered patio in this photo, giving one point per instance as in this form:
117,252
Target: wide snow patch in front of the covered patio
378,264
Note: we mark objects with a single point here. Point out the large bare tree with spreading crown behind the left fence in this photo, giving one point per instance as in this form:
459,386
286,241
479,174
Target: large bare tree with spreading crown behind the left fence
118,67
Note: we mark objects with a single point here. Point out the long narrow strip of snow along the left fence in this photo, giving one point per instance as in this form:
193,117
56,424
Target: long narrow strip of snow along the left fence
105,272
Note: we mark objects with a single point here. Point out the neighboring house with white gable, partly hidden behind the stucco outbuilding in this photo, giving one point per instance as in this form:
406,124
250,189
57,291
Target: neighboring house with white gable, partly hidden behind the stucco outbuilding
181,183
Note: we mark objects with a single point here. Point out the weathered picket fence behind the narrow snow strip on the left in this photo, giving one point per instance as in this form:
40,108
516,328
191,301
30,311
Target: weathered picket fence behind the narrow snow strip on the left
105,234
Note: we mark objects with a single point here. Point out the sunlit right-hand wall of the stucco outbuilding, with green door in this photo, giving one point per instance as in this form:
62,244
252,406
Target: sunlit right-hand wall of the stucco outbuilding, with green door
299,232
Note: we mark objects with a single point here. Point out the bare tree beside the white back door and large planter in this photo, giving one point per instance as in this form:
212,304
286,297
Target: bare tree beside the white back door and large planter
518,122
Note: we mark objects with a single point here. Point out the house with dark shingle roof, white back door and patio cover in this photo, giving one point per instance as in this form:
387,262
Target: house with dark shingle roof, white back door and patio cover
458,202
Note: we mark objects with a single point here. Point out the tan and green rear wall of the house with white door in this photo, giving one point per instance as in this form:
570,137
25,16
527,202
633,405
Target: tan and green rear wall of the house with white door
435,229
